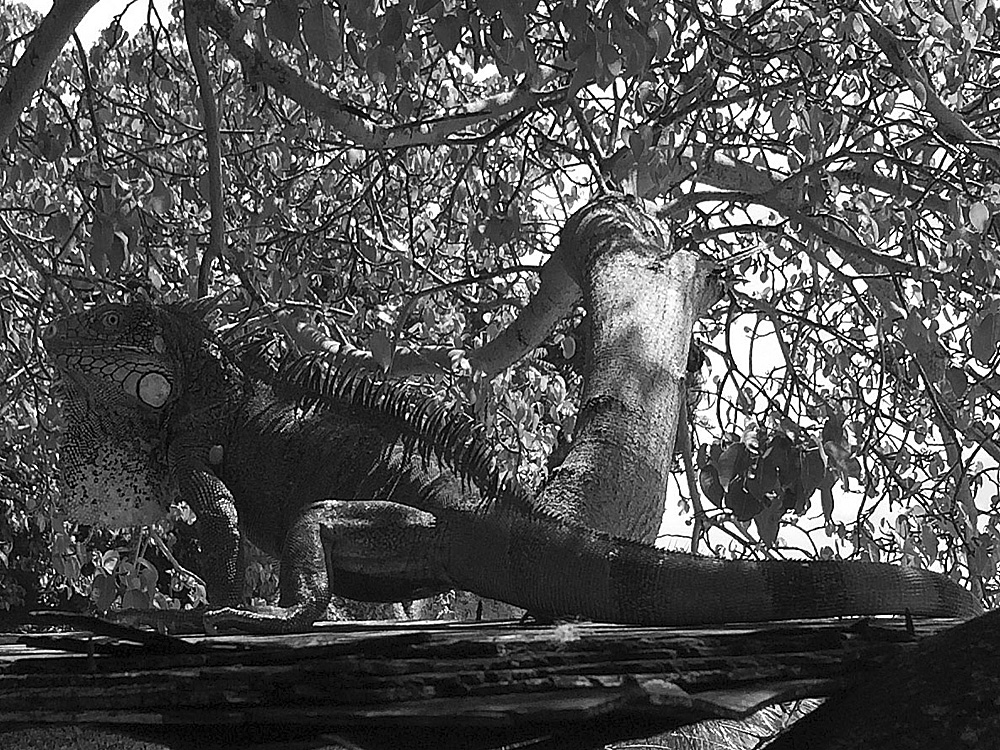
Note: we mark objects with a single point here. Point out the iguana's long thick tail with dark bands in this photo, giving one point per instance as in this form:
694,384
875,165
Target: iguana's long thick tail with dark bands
556,569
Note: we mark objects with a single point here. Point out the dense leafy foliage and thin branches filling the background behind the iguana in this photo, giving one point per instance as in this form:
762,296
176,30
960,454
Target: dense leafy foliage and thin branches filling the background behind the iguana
396,183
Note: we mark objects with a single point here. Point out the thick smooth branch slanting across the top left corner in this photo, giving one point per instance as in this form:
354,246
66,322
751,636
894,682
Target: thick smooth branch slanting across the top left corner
33,66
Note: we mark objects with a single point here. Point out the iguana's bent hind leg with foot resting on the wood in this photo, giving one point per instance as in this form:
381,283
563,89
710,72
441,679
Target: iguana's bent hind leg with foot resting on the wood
370,550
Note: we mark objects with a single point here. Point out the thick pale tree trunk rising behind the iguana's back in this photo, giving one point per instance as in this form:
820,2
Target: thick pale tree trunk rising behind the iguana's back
643,297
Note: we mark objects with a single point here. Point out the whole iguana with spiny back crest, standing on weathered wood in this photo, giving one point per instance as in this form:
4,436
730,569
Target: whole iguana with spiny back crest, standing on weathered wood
375,493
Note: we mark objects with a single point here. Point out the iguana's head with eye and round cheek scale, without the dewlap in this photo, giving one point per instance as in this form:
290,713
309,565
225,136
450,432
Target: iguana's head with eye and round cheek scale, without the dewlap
117,351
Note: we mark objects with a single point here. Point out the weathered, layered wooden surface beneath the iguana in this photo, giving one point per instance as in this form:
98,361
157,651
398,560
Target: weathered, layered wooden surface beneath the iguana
438,674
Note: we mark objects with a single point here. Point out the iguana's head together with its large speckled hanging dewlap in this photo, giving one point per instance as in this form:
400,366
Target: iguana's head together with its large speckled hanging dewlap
122,368
